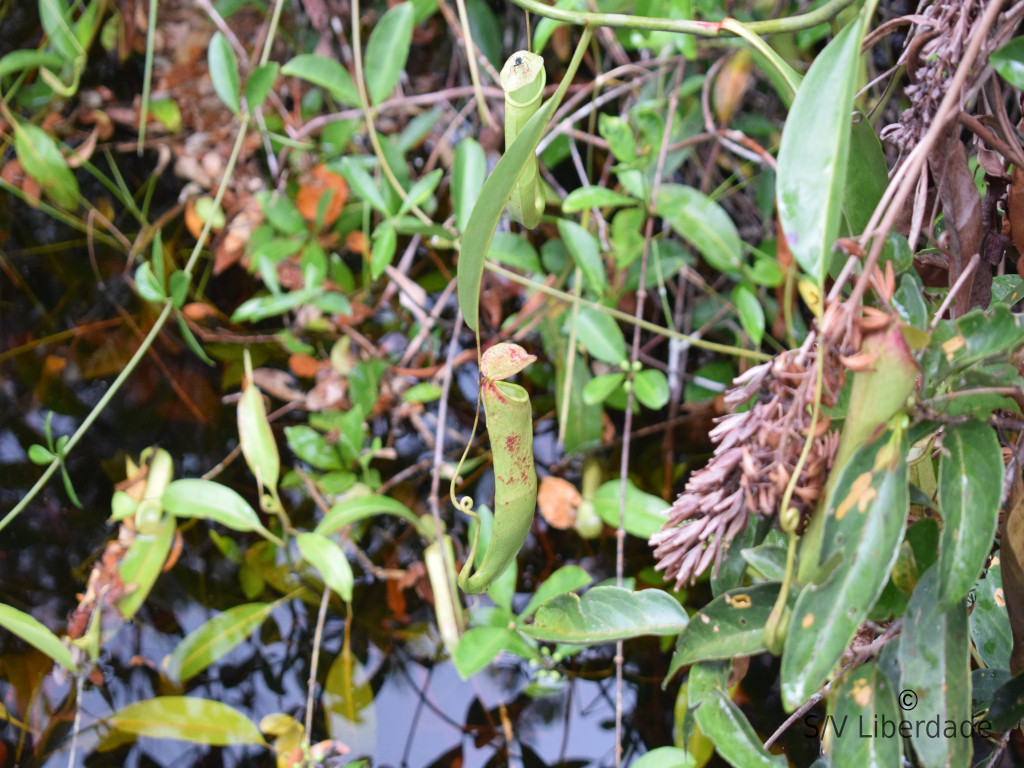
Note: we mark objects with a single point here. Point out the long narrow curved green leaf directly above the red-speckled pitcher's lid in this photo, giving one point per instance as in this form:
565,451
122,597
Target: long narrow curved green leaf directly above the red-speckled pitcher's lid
496,192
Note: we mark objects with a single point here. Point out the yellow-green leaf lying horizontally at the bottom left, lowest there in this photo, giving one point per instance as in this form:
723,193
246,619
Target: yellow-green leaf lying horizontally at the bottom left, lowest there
188,719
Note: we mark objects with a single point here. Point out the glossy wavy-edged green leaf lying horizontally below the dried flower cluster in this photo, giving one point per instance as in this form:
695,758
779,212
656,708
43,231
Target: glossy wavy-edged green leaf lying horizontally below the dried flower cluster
606,615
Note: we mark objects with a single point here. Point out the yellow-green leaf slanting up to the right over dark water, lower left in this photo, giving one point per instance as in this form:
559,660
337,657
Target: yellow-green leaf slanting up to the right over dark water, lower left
214,641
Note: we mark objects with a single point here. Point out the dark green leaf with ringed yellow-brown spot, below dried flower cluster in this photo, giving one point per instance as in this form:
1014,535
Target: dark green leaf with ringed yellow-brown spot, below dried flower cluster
727,627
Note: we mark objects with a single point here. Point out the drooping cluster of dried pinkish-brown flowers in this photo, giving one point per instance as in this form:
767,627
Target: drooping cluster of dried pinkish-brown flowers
756,455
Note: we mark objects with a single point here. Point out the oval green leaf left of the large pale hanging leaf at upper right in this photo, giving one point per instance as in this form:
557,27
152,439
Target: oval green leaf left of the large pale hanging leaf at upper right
704,224
